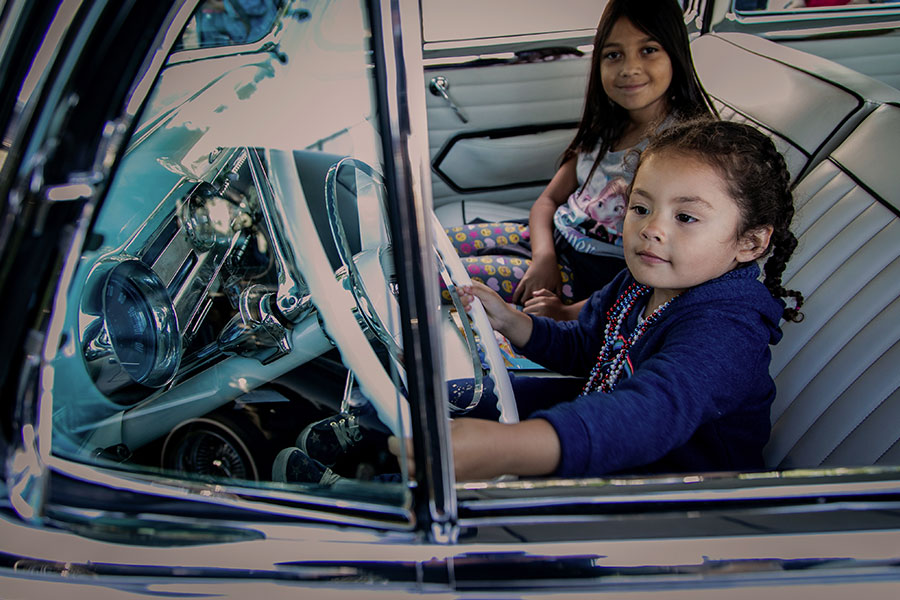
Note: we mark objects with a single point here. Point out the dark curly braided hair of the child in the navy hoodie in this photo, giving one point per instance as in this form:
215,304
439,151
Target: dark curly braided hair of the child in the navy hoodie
756,177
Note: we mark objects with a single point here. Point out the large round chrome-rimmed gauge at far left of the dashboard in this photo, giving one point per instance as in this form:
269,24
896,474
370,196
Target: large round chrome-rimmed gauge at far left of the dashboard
141,323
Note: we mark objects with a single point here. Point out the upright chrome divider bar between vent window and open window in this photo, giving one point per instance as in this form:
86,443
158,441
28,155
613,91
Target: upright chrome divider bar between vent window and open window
405,134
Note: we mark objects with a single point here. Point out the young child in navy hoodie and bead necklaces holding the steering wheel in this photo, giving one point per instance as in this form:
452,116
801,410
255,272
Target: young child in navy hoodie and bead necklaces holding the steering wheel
675,350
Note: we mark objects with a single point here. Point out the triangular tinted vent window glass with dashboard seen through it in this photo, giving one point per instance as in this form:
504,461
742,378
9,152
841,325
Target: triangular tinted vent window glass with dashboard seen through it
236,296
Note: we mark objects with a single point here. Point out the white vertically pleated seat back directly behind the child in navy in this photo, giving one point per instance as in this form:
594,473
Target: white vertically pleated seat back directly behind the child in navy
836,372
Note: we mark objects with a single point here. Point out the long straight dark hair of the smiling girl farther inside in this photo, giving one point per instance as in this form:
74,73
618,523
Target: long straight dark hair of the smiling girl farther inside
604,121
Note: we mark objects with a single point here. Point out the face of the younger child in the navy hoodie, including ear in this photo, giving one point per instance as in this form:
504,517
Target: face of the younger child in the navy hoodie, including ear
681,226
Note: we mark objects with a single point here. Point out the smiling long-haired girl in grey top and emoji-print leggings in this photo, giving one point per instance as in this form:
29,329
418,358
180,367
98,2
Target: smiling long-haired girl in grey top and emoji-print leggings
642,79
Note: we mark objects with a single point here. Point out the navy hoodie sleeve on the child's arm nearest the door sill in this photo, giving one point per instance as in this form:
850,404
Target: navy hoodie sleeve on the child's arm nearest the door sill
699,369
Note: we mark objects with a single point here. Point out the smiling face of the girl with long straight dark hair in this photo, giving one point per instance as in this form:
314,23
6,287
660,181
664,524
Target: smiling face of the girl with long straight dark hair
635,71
